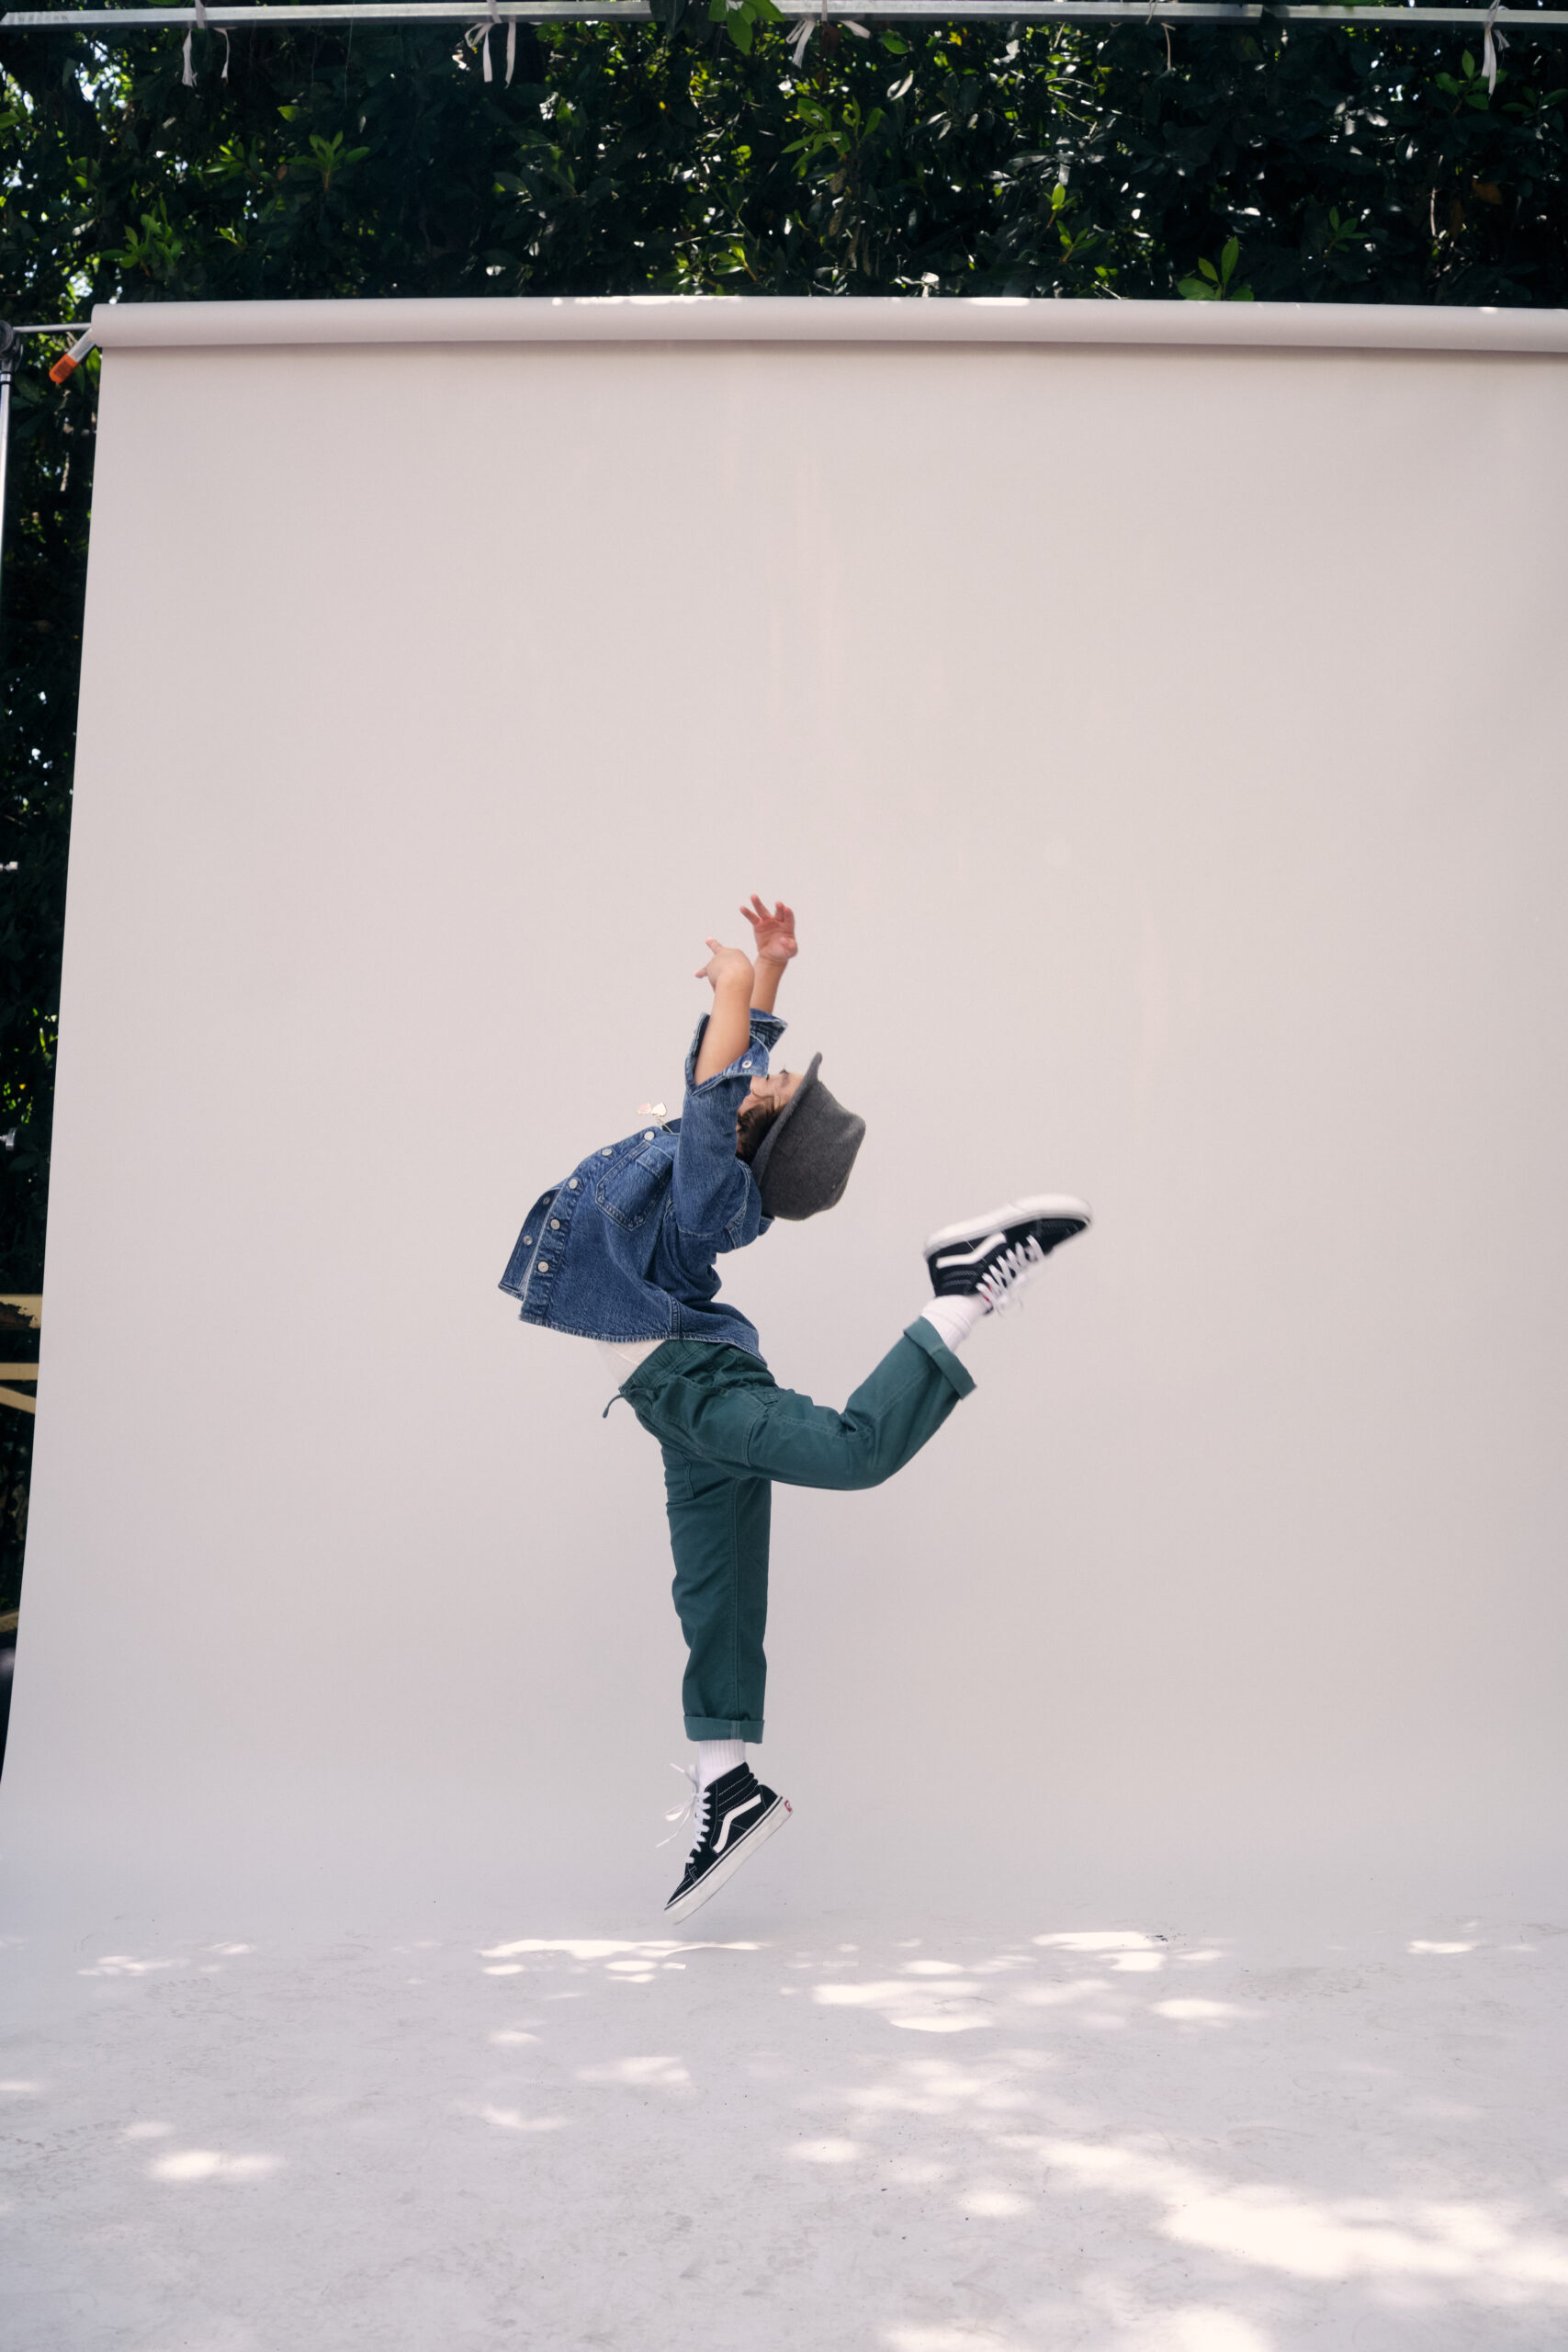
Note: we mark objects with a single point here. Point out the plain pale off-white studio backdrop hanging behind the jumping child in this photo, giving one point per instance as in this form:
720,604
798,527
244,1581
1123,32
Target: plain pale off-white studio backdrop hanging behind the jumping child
1162,749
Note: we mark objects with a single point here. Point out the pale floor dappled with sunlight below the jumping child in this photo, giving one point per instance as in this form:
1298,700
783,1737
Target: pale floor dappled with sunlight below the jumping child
833,2134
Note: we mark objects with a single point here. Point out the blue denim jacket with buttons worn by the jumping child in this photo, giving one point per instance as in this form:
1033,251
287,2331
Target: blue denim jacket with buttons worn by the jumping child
624,1248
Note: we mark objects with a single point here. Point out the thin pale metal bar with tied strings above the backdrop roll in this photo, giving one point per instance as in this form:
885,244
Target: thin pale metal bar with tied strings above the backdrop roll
123,20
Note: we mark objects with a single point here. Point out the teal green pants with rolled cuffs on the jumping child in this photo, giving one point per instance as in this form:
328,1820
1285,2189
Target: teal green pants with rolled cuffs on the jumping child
728,1434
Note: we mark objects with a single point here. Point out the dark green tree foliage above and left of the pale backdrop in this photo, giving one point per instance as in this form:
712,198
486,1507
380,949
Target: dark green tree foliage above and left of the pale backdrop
697,156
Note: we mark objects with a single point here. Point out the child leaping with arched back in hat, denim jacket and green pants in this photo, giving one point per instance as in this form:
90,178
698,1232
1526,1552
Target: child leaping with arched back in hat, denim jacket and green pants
624,1252
